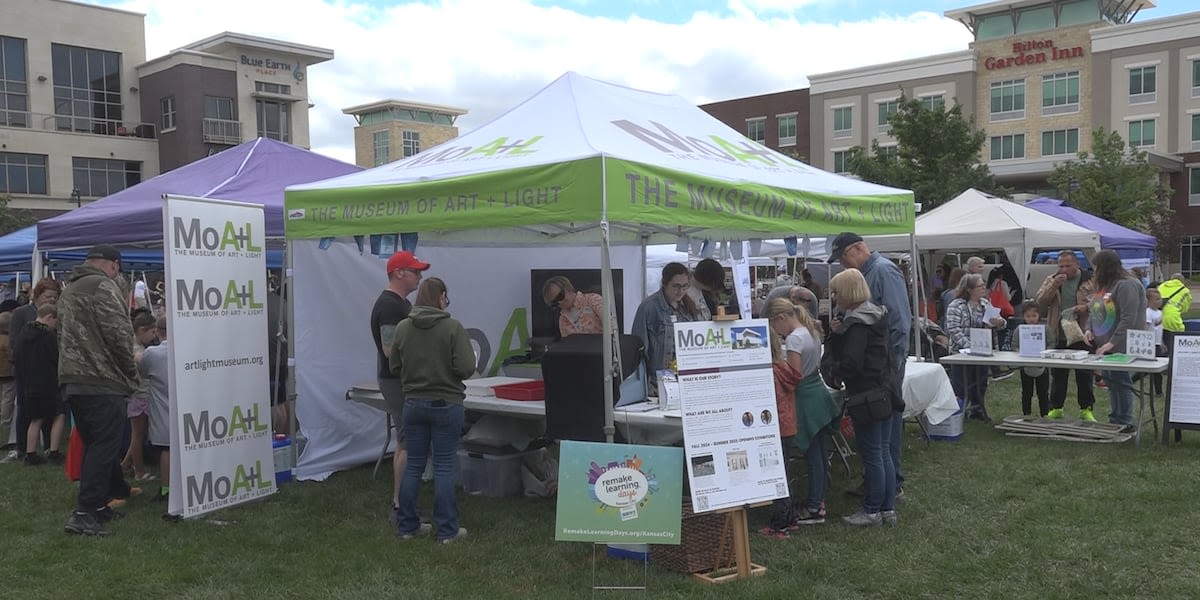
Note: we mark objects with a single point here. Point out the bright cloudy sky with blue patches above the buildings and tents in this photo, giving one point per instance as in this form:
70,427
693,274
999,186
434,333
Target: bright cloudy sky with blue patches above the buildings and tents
489,56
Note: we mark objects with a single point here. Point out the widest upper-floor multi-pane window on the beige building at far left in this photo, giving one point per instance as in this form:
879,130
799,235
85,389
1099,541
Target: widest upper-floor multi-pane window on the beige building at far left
87,89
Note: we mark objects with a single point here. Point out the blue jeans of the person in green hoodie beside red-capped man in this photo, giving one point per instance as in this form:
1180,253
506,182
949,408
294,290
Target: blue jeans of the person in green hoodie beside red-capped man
437,425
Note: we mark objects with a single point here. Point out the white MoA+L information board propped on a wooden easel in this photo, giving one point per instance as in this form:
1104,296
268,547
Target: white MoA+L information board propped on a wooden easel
730,423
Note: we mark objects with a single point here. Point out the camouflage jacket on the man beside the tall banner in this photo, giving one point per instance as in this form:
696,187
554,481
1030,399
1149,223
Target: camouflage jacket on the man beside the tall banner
95,333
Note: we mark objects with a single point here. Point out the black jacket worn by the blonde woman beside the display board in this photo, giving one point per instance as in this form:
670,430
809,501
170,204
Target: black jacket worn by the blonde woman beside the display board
857,353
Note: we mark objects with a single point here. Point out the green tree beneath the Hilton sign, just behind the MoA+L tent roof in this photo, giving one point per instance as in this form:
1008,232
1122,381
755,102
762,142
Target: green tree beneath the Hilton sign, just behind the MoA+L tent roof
938,158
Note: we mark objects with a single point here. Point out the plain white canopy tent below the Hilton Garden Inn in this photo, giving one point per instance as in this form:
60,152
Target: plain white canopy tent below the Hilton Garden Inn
975,221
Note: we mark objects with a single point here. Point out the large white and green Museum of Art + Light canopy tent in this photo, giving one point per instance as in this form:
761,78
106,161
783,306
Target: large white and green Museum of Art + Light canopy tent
585,164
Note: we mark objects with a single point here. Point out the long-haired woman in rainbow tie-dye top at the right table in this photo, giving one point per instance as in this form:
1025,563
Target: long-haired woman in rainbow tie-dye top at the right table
1118,305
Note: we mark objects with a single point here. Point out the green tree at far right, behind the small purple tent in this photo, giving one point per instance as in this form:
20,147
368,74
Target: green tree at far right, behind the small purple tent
1114,182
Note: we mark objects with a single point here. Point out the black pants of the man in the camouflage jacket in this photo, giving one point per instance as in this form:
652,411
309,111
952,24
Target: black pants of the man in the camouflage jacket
101,423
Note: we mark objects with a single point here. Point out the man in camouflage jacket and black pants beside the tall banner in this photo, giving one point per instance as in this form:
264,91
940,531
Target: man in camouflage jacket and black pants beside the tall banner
97,373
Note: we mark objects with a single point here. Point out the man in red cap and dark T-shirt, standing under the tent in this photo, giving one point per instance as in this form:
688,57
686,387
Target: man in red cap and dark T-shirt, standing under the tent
404,278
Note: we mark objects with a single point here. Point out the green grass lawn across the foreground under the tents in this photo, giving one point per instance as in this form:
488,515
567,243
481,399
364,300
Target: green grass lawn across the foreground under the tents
985,518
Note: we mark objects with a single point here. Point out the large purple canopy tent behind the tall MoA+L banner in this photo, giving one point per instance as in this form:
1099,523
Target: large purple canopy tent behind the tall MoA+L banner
254,172
